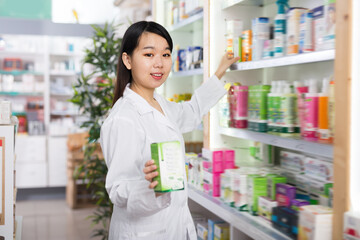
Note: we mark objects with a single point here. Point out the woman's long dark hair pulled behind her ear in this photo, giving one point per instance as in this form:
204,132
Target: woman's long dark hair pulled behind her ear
129,42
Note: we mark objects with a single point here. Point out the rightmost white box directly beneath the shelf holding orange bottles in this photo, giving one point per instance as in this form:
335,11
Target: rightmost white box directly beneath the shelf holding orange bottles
318,169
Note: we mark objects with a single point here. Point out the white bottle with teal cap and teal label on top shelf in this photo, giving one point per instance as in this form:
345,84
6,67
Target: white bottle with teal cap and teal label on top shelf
280,29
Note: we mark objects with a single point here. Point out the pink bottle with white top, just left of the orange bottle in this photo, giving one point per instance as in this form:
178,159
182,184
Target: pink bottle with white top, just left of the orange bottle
311,121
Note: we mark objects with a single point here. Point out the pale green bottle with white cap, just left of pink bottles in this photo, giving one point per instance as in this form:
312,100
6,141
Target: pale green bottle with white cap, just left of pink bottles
288,109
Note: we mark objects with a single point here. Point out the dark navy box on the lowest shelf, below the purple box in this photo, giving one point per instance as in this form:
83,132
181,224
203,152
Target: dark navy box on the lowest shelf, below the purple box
285,220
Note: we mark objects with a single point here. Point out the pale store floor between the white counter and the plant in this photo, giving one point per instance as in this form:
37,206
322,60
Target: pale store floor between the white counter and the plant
53,220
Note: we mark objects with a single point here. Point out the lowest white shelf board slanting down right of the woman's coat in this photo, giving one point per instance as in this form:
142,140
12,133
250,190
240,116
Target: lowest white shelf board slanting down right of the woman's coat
253,226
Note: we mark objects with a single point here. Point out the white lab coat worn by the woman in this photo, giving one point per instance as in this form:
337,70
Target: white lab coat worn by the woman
126,135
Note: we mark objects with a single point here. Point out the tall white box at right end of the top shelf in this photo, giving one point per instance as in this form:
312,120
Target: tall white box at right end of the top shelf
329,36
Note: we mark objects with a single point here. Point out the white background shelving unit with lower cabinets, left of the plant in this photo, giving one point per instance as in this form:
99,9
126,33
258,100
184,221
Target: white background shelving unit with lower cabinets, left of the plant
41,159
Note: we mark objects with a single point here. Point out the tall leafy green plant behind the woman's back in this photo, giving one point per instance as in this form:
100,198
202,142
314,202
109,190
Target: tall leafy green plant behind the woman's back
93,94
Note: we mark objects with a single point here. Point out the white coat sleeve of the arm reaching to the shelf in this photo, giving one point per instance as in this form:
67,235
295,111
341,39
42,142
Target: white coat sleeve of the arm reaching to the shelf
189,114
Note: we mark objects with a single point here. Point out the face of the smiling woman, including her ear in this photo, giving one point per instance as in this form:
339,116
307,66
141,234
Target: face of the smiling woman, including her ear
150,62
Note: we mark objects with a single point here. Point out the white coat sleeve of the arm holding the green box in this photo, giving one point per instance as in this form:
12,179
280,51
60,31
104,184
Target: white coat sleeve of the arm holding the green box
122,144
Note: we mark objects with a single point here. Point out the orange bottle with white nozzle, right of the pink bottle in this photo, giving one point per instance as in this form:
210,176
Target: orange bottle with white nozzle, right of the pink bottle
323,115
